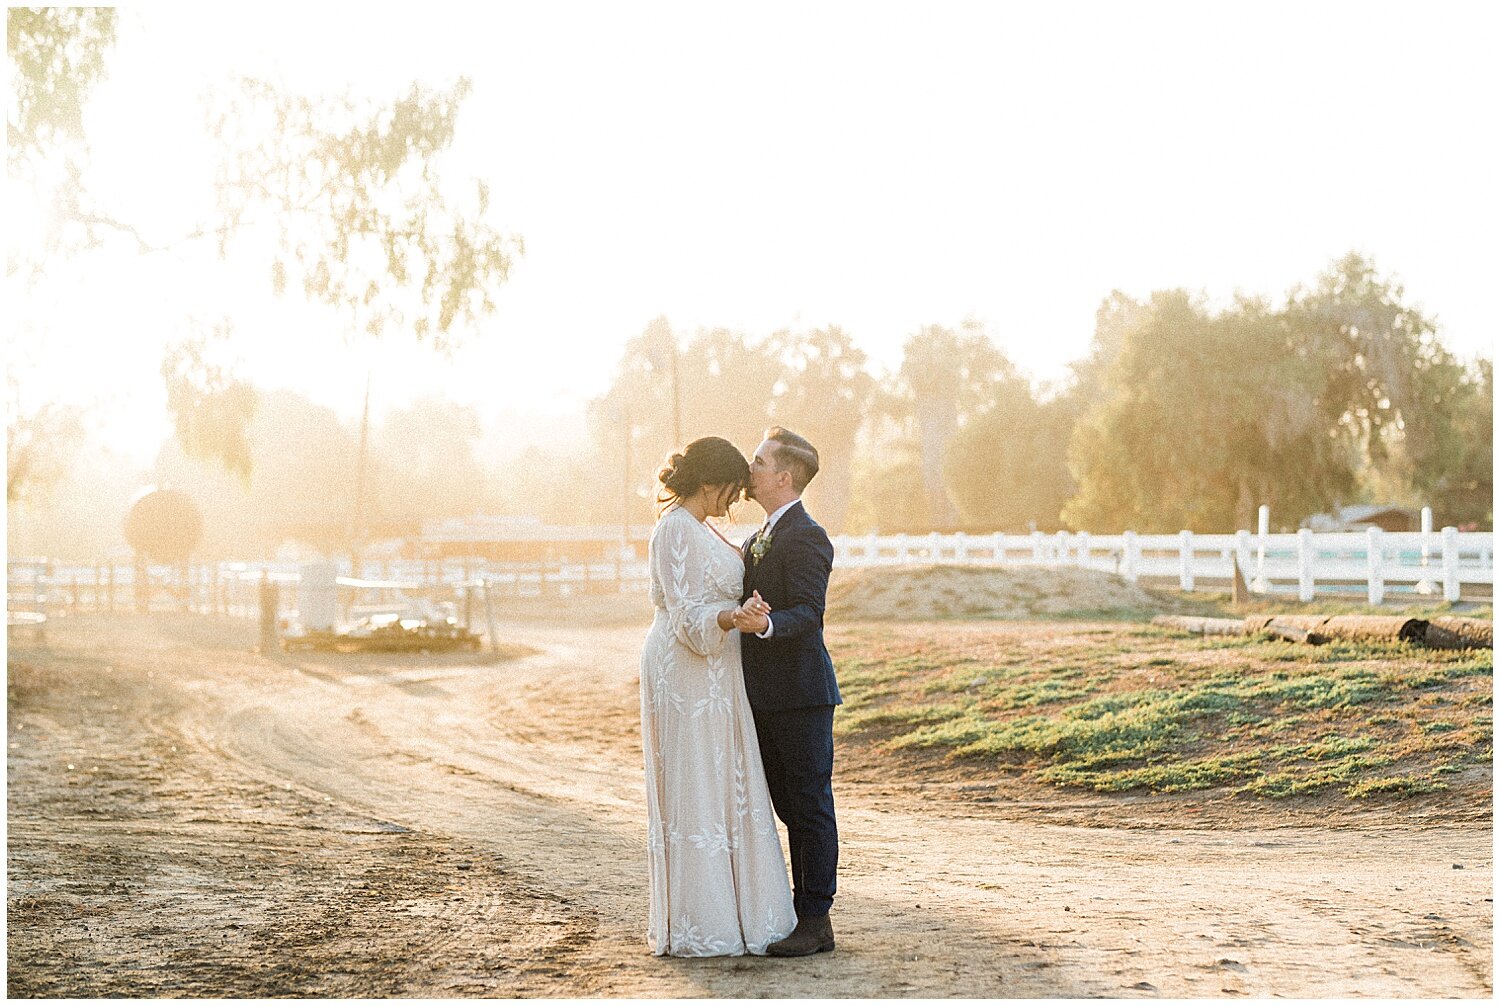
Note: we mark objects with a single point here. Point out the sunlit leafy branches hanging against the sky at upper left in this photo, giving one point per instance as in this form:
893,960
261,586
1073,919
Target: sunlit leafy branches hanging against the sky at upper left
364,218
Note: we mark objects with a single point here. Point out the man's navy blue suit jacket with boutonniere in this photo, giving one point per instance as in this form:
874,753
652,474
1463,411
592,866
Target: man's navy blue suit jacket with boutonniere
793,669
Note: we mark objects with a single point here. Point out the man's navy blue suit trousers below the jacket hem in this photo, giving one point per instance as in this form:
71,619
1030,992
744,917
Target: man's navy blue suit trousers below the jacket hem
797,749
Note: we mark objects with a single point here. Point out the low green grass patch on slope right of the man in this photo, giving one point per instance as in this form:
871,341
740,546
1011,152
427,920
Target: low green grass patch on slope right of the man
1132,708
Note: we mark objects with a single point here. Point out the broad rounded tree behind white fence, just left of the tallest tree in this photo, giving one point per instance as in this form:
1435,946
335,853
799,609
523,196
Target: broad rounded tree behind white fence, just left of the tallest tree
1196,419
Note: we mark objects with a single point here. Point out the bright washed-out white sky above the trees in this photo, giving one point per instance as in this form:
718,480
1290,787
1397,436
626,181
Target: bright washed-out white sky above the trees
874,166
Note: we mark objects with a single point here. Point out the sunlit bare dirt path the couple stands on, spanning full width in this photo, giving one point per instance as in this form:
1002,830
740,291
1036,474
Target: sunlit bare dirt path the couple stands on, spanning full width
191,819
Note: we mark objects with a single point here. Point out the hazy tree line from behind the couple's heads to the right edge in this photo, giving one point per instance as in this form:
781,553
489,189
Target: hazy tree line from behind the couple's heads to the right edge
1180,416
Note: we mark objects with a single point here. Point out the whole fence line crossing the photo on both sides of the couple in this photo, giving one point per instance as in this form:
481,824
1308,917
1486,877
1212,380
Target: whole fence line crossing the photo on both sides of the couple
1376,563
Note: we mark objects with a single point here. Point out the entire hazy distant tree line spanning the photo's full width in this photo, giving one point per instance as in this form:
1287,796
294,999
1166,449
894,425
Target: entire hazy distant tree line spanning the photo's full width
1180,416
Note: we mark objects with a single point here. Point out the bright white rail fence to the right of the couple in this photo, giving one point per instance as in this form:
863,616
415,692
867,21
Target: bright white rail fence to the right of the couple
1432,563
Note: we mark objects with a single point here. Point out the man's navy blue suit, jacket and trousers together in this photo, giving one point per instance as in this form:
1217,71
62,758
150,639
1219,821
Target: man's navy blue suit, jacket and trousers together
790,680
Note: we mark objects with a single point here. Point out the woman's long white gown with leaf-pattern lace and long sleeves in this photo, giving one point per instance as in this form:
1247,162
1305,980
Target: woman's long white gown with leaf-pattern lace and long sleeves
716,872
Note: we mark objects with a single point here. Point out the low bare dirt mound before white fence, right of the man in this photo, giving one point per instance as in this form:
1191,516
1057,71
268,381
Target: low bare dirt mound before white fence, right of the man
1015,593
